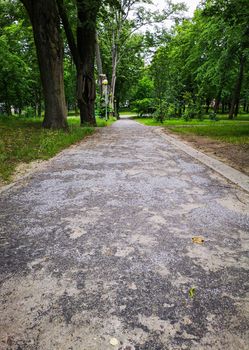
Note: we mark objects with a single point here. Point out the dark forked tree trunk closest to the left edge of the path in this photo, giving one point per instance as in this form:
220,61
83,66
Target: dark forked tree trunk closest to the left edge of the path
83,53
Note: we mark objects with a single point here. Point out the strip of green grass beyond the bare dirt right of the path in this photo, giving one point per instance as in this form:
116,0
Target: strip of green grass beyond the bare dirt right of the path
236,134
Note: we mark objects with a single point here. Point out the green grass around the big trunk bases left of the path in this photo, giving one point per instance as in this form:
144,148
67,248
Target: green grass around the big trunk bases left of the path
24,140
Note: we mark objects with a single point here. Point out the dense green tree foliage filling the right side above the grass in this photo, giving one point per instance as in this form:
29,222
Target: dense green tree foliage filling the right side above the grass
199,61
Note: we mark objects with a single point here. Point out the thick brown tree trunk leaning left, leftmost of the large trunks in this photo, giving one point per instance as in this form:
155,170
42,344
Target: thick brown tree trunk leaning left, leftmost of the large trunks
45,21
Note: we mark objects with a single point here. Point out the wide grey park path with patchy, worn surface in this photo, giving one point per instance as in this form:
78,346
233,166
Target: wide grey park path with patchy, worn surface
97,251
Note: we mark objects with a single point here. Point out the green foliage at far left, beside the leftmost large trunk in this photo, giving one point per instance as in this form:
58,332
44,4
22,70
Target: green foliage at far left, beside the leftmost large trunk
19,75
